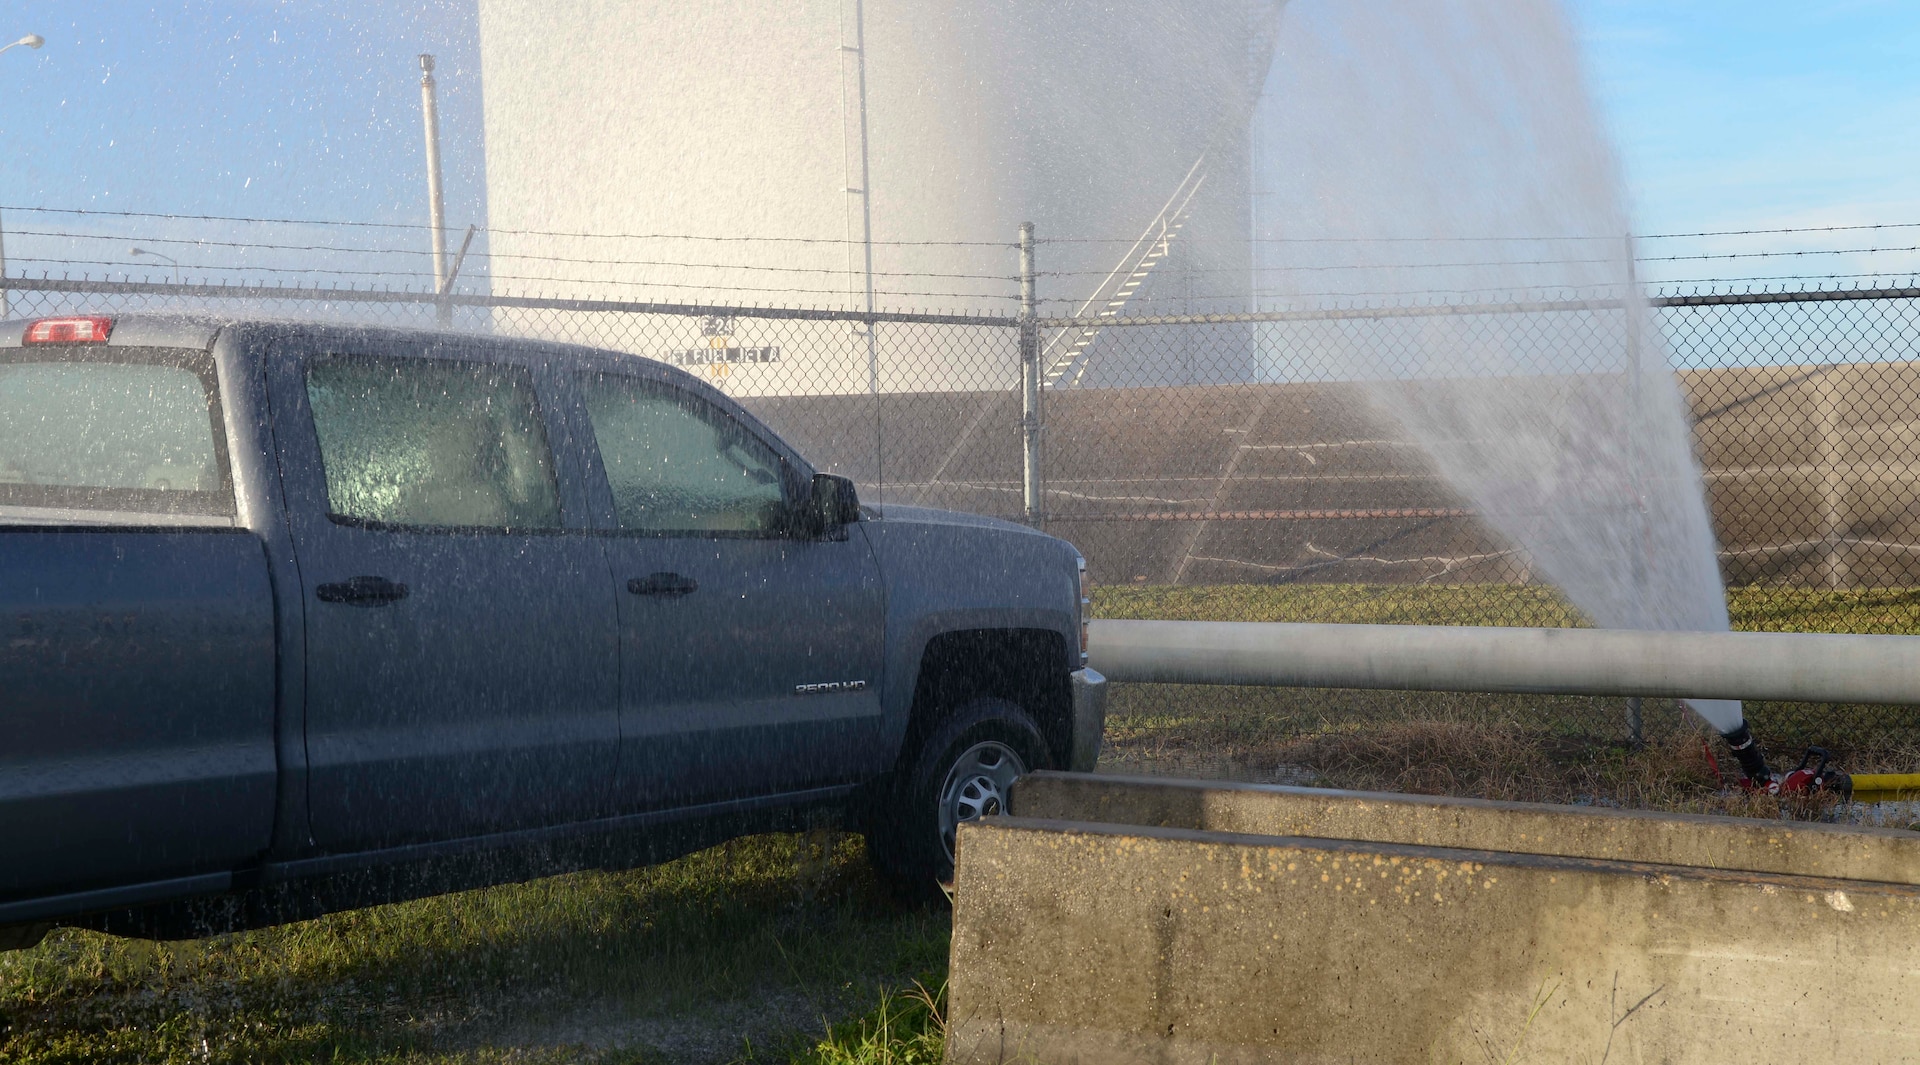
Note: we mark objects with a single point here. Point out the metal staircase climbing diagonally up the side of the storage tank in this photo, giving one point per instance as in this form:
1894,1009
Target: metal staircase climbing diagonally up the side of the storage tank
1065,358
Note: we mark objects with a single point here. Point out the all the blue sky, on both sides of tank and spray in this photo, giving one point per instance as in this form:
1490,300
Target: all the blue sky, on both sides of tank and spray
1729,116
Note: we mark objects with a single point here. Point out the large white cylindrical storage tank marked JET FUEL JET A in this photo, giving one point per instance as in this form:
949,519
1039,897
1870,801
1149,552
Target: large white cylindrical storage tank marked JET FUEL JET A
802,153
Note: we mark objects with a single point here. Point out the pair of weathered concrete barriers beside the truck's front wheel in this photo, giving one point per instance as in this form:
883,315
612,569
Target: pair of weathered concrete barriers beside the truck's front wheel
1262,924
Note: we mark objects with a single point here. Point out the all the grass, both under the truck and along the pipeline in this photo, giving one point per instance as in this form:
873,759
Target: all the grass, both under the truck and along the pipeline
784,949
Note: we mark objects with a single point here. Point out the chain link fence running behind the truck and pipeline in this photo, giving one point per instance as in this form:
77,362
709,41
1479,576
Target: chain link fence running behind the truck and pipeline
1228,467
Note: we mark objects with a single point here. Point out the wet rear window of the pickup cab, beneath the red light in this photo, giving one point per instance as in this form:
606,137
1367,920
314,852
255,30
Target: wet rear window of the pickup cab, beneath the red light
128,431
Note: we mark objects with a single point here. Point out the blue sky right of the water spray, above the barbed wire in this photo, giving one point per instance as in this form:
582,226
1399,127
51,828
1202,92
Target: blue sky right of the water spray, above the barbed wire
1760,114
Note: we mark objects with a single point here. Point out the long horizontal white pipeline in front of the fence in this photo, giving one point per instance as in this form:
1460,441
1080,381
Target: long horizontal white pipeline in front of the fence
1790,667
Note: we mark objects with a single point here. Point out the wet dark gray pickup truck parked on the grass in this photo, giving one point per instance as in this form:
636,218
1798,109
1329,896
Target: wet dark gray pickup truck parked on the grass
300,619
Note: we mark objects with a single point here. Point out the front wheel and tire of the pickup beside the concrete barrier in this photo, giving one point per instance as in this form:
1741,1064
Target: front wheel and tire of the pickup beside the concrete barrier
961,774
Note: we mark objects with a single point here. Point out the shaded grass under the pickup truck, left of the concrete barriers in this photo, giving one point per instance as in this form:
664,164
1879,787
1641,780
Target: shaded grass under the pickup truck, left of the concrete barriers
754,943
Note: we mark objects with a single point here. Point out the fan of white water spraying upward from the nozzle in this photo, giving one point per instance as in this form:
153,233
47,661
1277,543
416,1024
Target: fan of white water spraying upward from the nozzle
1449,153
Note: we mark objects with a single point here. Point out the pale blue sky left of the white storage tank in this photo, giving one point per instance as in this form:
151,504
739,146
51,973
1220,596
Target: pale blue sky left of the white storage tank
237,106
